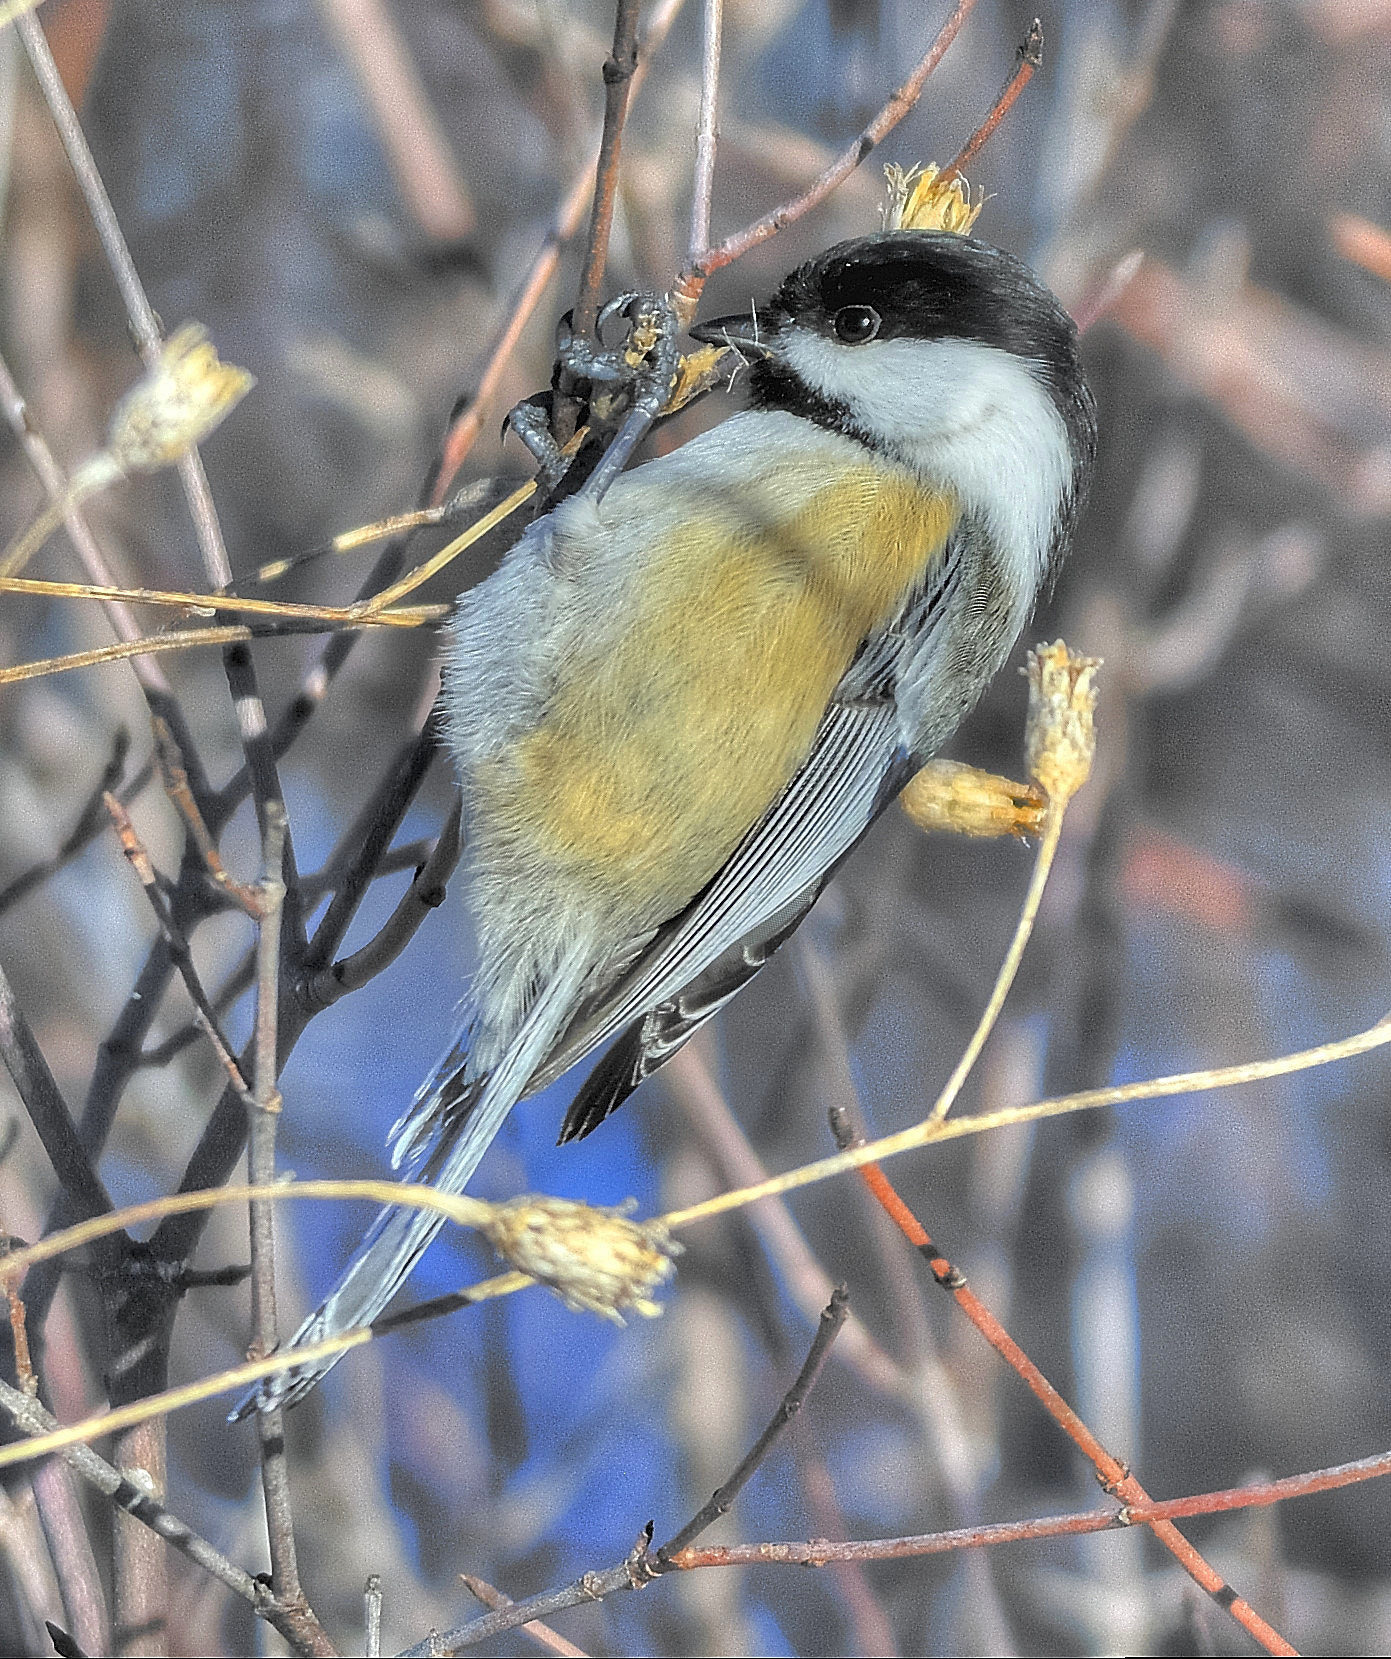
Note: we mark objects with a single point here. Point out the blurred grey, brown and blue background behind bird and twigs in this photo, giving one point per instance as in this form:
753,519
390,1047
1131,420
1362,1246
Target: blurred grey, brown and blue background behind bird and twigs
349,193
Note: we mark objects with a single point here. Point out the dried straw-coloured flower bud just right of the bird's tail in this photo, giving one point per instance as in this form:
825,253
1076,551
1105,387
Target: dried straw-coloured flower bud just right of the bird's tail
595,1260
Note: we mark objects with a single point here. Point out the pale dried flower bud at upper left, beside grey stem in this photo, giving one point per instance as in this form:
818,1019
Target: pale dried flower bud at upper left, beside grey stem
177,404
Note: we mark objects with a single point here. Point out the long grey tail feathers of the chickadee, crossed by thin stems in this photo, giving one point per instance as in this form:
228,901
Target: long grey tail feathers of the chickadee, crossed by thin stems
399,1238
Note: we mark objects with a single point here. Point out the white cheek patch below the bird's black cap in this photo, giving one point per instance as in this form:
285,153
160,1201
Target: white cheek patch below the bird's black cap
962,414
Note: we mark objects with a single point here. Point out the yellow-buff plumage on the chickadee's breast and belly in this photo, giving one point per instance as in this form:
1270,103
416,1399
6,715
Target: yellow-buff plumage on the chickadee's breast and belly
660,754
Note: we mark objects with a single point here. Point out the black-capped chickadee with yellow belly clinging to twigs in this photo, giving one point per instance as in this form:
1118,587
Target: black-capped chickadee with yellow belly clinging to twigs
678,709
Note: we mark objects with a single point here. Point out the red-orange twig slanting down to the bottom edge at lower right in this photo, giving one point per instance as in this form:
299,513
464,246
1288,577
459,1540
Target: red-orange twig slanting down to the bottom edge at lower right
1111,1472
